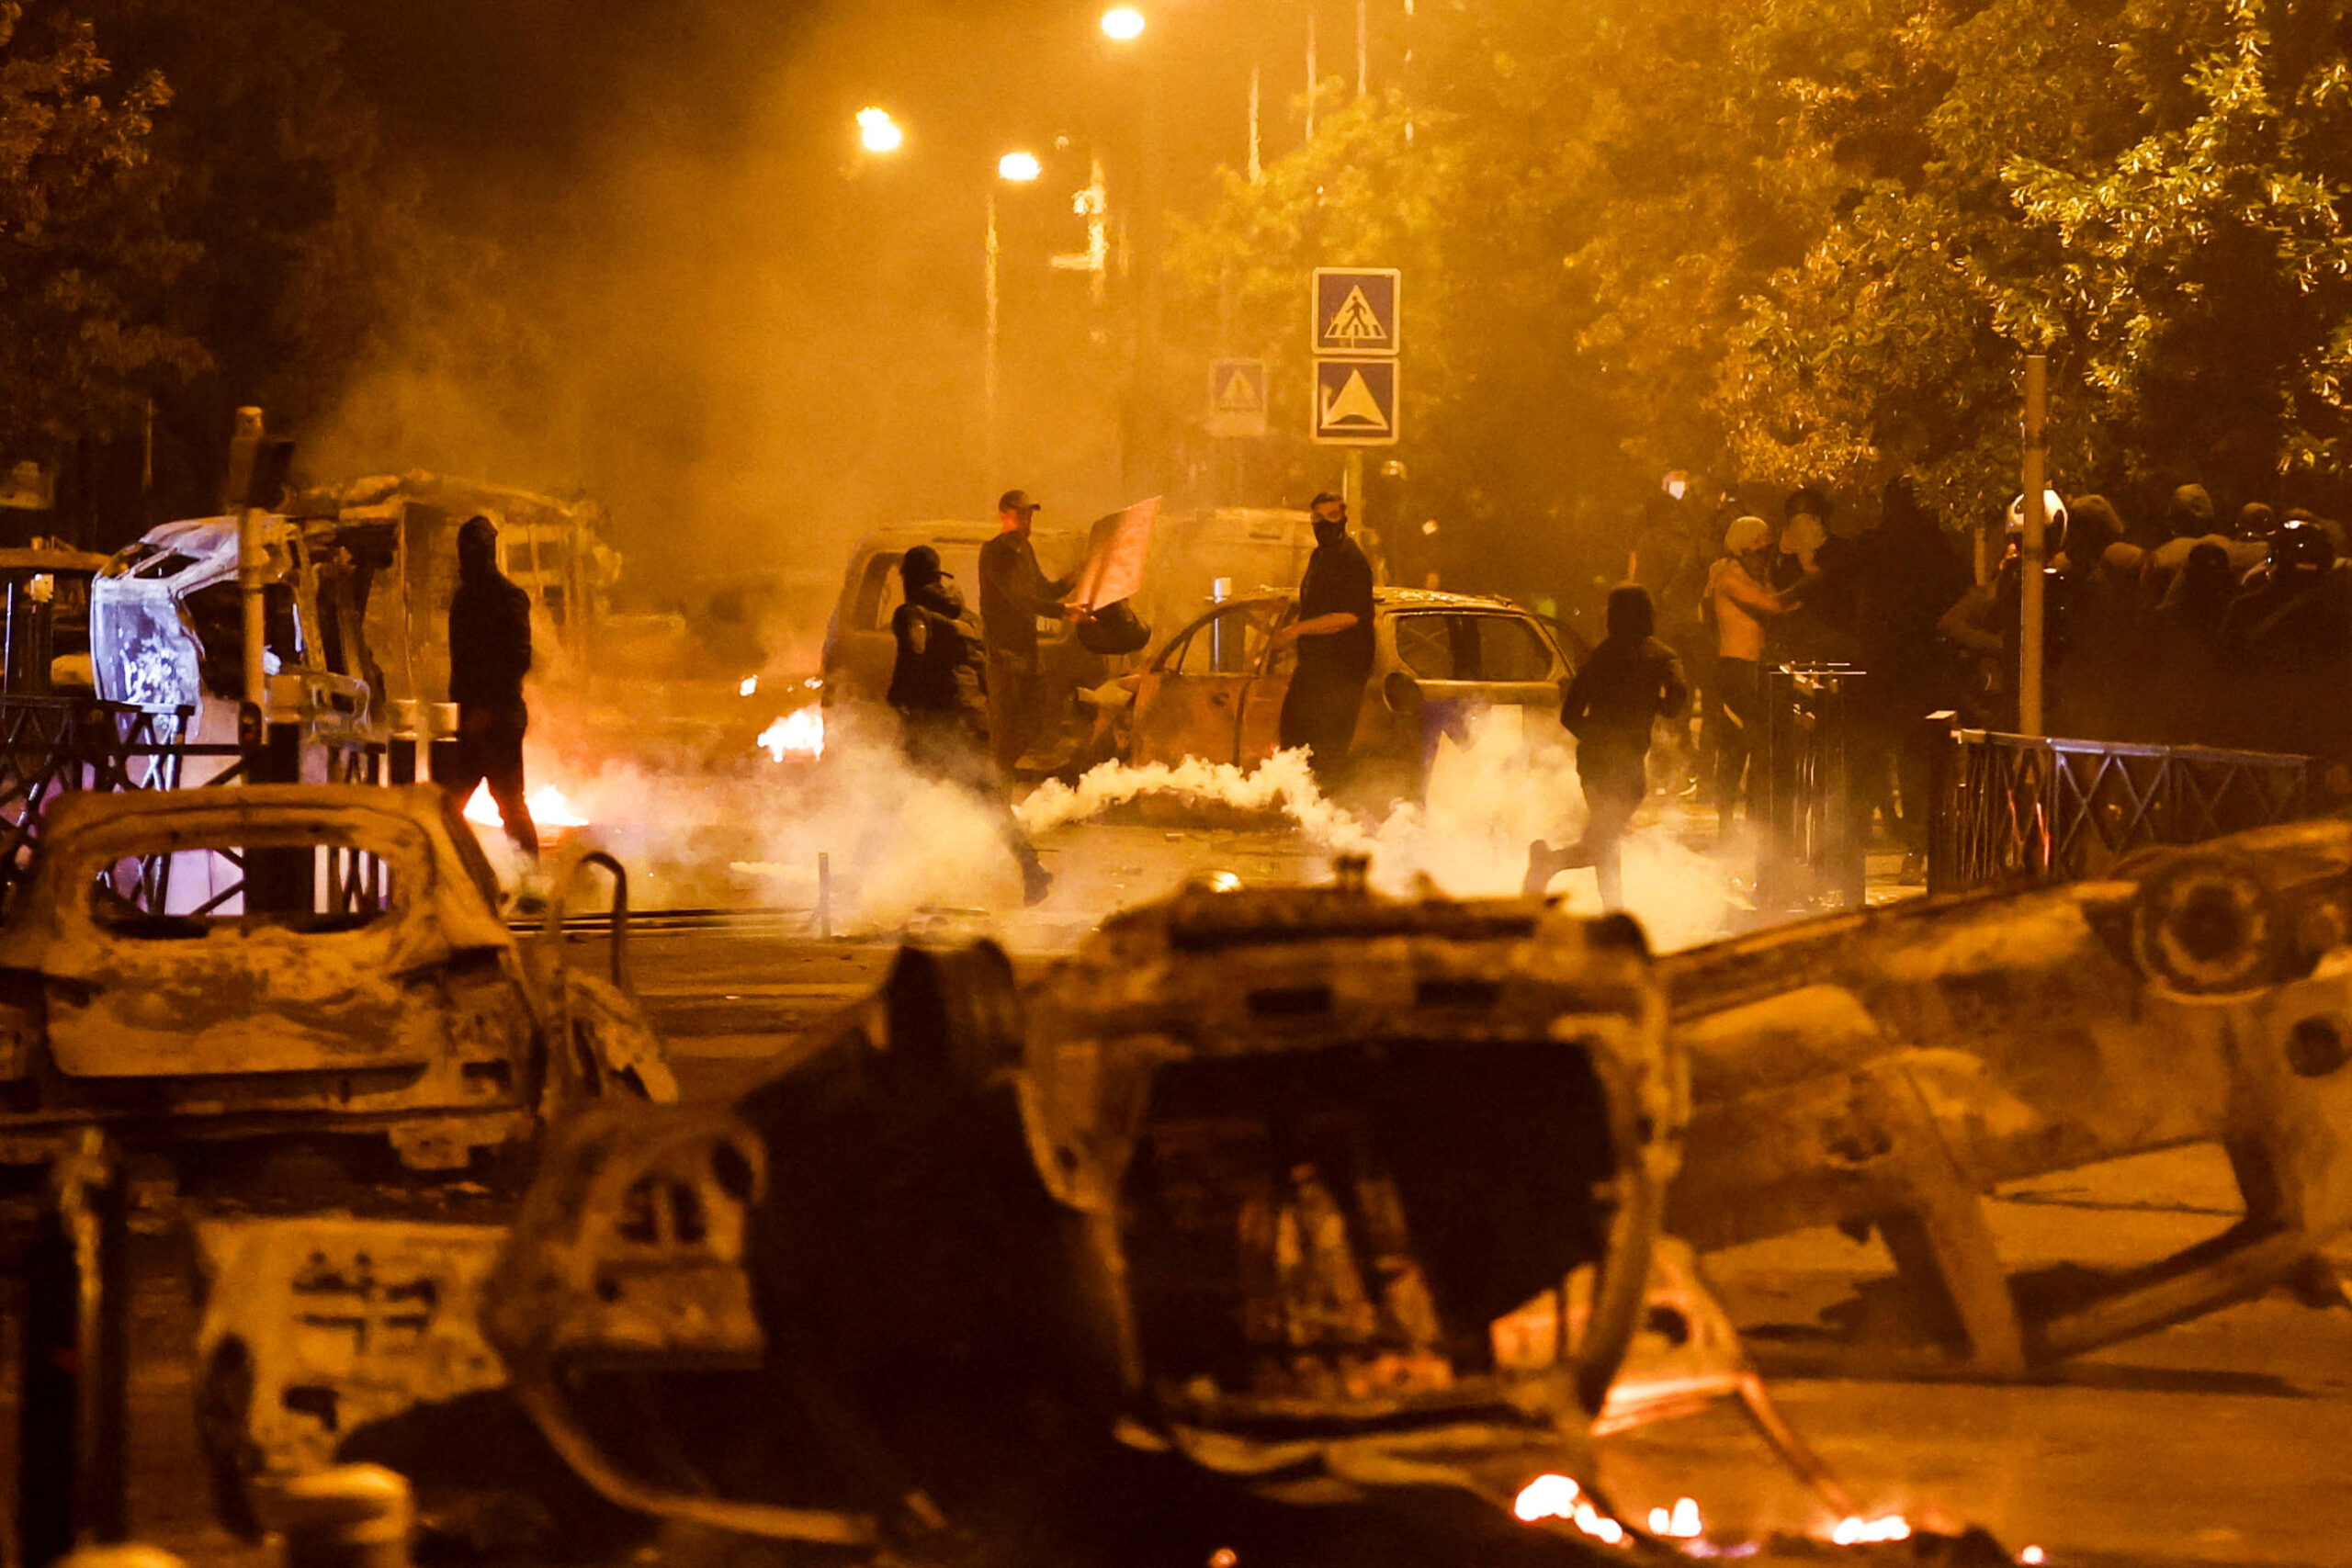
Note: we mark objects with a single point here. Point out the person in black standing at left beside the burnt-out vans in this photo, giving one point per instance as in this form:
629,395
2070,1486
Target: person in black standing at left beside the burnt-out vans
490,652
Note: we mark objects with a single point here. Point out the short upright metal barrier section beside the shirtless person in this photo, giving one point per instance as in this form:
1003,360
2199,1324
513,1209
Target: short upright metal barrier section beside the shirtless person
1803,782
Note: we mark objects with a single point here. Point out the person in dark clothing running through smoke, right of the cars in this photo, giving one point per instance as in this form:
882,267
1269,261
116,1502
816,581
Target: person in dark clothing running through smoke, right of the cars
1624,688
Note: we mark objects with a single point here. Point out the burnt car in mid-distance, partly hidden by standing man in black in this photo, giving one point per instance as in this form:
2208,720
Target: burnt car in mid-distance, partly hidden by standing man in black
1215,690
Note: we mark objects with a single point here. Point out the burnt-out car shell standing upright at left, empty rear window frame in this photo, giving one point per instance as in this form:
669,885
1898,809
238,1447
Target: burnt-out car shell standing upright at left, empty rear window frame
290,960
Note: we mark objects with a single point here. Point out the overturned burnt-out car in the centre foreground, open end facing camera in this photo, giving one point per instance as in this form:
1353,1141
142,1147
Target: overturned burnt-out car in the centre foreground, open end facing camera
1250,1200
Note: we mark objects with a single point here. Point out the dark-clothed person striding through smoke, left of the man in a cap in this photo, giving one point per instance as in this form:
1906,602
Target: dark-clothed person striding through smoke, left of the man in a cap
940,692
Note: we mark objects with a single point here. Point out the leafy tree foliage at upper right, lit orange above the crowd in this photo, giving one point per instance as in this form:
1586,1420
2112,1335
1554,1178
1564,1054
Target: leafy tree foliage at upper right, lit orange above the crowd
1815,239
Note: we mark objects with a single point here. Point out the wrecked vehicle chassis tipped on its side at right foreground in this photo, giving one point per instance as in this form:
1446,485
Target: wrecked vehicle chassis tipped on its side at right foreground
1890,1071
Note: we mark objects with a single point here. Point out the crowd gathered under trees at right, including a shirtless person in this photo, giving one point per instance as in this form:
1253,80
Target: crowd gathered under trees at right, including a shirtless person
2170,629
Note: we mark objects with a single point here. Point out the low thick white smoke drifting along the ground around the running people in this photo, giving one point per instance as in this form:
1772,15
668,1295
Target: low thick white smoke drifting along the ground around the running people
907,850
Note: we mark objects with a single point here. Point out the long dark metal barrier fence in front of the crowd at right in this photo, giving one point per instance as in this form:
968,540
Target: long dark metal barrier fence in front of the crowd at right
2045,810
